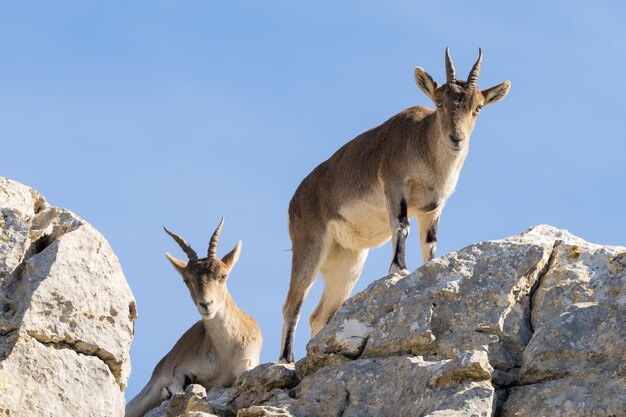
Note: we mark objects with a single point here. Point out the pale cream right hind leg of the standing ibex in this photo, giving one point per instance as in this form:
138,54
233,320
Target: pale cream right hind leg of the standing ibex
341,270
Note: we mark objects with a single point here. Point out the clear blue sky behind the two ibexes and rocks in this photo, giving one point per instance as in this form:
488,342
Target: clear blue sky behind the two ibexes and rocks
141,114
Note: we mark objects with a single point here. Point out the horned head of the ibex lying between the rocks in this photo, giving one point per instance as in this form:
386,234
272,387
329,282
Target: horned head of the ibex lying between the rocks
206,277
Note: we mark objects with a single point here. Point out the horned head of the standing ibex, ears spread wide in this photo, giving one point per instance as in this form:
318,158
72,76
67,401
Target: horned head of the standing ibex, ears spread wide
458,102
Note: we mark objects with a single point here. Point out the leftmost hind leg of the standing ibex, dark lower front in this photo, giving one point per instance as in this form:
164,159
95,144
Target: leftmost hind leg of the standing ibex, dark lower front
306,258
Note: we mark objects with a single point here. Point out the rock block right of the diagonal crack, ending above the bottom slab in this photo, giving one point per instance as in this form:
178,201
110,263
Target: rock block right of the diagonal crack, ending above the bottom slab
579,312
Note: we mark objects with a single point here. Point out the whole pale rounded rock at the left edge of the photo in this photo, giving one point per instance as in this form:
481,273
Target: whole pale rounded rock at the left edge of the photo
66,312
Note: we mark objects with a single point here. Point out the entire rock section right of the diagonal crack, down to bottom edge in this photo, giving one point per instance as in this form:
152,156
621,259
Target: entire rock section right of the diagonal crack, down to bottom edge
577,355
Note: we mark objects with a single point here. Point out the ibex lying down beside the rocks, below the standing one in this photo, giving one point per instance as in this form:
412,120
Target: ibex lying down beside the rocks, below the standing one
215,350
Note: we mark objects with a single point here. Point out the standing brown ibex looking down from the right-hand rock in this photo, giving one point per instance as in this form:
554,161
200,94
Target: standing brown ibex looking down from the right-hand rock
367,191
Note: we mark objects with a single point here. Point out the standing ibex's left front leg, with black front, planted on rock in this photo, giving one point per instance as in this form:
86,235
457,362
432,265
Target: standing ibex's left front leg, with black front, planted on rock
399,222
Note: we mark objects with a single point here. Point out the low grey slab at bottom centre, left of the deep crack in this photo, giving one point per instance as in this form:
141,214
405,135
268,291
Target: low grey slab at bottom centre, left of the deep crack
398,385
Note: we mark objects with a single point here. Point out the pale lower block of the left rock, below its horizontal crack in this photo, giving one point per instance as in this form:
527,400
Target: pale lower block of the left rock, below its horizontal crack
41,380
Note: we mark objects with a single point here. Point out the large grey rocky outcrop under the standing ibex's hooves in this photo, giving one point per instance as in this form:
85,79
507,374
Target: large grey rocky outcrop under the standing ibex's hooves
532,325
